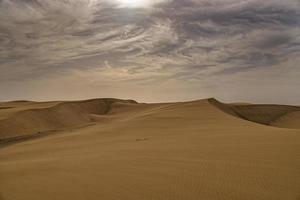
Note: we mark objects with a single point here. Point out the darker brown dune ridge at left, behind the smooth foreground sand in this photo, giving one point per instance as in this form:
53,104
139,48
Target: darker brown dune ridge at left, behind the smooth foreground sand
57,116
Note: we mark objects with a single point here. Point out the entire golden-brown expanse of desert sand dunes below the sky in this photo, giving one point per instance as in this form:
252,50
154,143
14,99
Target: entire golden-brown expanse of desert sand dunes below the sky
115,149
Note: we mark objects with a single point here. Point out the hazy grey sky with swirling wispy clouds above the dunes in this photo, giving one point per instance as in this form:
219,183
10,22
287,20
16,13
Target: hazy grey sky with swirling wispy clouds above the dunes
150,50
